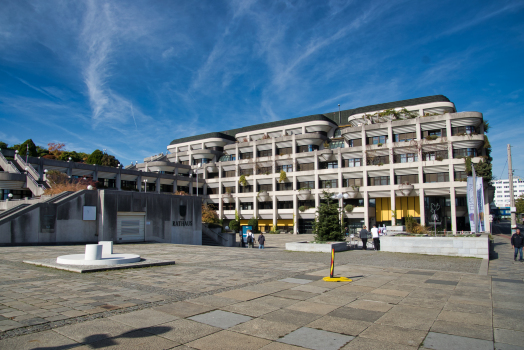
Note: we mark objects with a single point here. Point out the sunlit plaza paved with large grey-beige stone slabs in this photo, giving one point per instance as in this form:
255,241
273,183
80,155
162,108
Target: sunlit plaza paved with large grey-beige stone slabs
234,298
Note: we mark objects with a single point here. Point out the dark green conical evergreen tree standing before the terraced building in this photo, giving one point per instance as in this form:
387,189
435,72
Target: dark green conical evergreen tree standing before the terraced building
327,224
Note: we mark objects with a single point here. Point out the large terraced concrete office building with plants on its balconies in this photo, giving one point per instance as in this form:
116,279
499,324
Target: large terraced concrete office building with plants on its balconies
390,160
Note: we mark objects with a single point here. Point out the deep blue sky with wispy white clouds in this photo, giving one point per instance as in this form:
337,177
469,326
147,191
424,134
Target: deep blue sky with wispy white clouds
131,76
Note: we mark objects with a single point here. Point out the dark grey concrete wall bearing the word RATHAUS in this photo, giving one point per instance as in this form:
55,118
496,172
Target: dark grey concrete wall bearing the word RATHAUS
62,222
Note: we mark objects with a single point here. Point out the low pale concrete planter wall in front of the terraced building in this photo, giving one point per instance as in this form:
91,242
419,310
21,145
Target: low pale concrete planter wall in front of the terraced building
476,247
